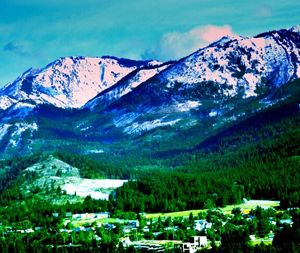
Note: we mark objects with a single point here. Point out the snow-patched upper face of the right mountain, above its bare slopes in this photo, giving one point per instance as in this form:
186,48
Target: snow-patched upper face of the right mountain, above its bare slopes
242,63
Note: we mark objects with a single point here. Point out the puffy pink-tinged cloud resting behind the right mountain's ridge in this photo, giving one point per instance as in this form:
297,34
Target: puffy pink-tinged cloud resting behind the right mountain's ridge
174,45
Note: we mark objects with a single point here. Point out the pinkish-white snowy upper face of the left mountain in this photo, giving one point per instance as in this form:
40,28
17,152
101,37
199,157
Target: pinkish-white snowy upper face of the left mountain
68,82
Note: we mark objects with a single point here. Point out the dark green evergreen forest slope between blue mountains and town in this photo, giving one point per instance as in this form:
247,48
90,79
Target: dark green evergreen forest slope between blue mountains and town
259,160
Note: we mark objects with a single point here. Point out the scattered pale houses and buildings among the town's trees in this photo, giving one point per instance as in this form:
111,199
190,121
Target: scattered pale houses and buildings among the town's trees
132,227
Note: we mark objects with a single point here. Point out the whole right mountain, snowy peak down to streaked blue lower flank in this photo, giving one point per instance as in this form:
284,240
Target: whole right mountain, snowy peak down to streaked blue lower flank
214,82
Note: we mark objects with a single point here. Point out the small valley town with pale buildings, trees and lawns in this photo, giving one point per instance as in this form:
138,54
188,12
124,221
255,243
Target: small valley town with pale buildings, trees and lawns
186,232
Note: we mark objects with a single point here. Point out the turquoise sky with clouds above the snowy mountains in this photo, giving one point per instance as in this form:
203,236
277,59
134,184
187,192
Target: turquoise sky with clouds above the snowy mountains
34,33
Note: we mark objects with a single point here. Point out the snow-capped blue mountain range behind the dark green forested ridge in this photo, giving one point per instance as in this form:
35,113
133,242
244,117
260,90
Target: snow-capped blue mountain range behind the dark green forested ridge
105,105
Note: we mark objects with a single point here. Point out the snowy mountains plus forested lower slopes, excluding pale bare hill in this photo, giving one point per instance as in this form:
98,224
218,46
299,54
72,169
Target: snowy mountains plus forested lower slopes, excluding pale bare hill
213,120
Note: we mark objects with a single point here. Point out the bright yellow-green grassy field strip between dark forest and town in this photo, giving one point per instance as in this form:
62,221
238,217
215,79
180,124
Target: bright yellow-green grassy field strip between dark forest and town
246,207
